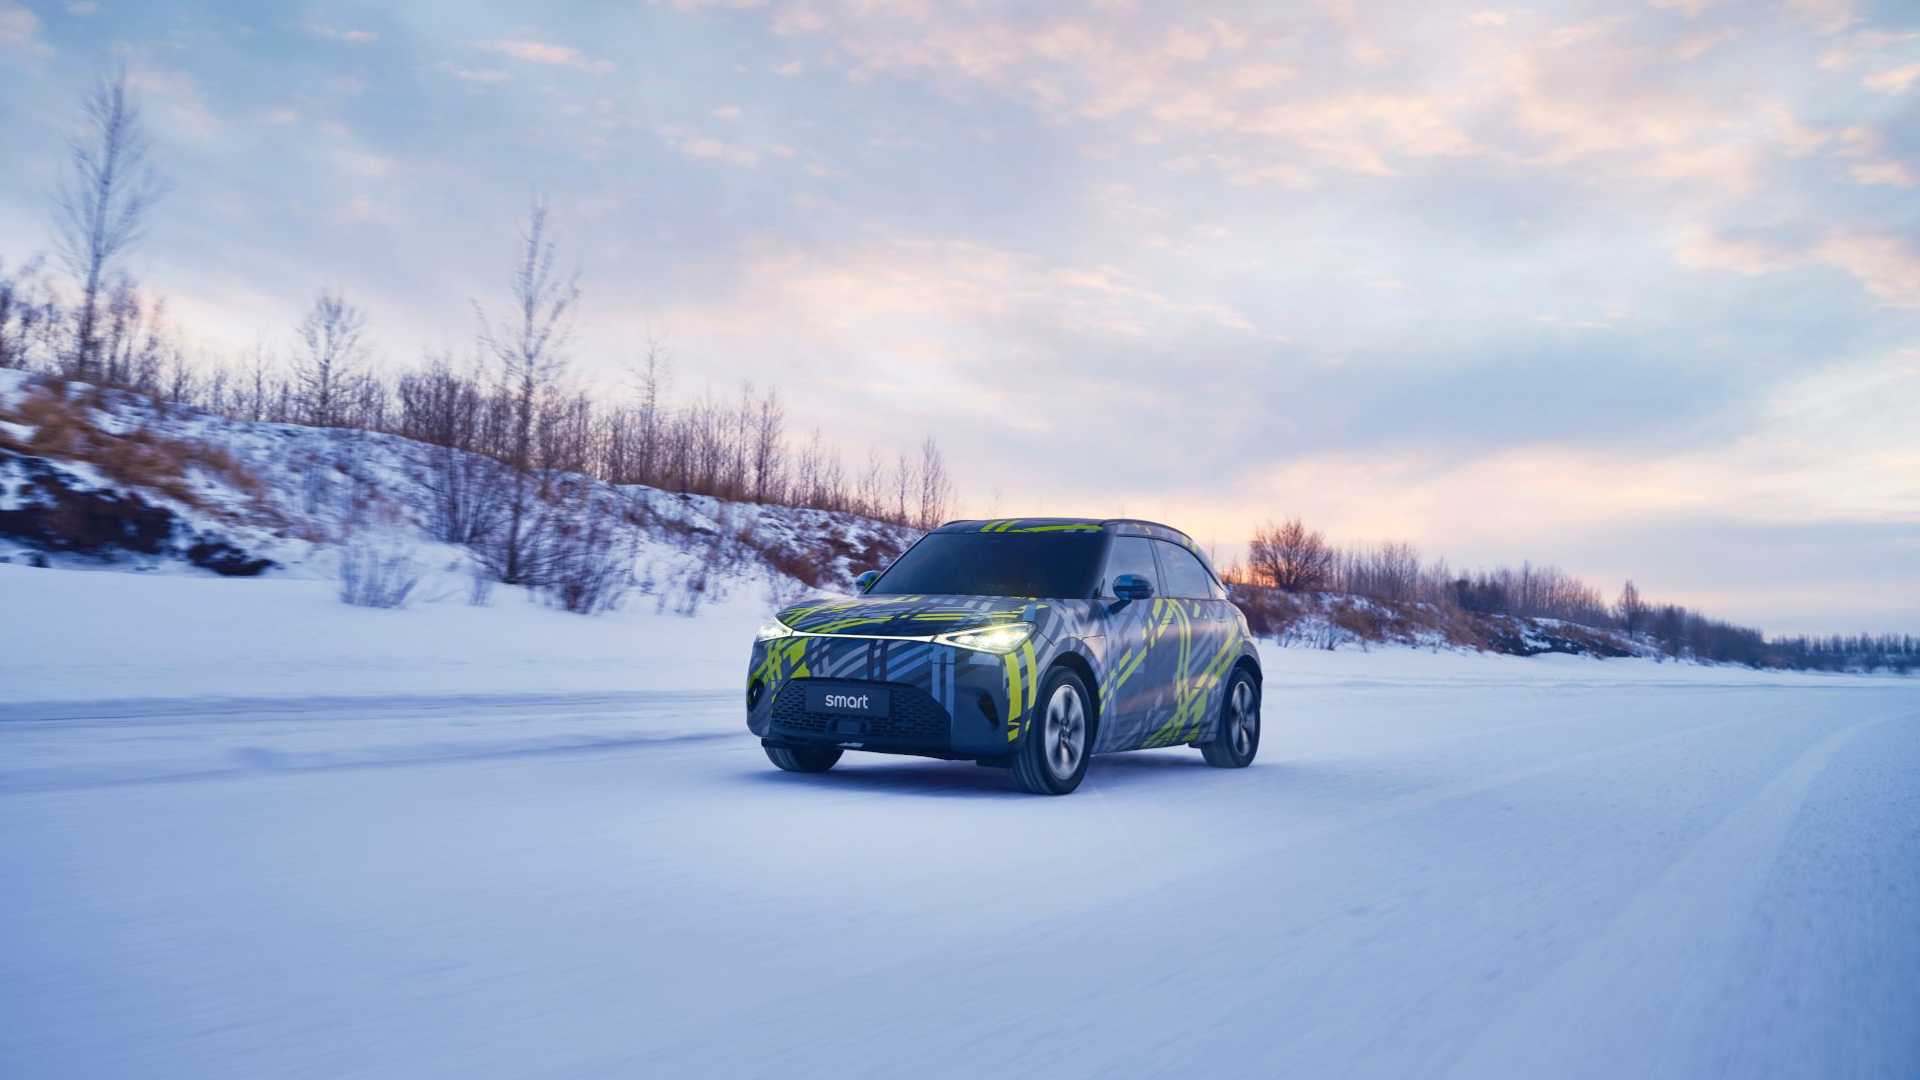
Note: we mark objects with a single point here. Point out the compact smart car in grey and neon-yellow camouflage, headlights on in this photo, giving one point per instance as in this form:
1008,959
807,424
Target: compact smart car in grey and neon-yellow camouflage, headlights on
1030,645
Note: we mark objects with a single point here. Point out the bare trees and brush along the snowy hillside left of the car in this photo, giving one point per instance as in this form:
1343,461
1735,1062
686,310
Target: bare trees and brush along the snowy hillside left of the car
508,424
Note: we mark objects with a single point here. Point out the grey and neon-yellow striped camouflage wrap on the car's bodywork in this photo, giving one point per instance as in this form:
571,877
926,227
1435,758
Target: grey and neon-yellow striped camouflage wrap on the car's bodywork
1159,668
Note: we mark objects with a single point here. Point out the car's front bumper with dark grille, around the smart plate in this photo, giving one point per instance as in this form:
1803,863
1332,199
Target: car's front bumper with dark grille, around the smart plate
948,702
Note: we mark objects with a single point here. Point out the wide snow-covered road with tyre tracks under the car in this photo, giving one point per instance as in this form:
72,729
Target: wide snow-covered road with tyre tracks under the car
1483,871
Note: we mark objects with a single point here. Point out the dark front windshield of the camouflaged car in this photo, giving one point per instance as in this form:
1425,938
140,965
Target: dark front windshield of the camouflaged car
997,564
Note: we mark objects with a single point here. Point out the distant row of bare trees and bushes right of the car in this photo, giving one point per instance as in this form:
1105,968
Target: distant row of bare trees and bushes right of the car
1295,558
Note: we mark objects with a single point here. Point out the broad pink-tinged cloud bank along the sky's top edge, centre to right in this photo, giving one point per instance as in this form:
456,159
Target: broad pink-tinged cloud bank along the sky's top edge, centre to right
1268,105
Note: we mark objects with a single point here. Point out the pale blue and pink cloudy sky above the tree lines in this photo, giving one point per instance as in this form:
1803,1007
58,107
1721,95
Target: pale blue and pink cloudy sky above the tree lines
1631,289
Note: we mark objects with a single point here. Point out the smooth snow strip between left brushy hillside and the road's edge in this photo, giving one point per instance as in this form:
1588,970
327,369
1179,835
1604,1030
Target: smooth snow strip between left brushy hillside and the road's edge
78,635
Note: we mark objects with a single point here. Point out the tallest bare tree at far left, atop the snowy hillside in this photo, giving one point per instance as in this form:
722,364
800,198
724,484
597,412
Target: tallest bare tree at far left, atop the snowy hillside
103,209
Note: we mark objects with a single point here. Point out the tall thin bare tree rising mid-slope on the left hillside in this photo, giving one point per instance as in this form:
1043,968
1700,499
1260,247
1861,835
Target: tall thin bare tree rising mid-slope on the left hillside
531,351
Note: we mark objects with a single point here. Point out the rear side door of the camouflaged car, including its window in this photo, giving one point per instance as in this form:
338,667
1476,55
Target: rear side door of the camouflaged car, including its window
1193,643
